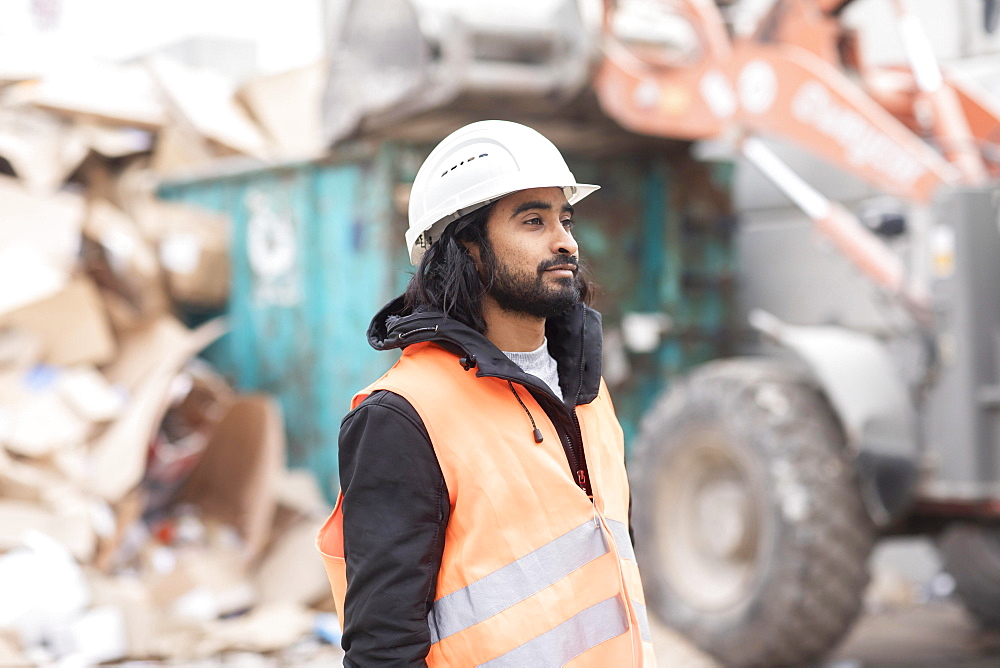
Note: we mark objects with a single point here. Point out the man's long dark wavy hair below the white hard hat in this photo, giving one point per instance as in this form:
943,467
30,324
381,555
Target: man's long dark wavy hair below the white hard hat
447,279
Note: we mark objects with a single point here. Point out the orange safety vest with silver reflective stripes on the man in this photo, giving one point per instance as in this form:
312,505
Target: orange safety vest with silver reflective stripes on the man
533,573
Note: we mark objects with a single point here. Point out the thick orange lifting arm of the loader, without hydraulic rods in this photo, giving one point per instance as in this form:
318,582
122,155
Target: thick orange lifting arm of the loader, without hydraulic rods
773,87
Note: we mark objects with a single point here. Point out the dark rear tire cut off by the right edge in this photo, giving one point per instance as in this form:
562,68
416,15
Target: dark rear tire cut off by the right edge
971,553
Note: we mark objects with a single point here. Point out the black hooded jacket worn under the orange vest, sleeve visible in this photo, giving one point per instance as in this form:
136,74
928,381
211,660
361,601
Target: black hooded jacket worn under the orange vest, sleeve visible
396,503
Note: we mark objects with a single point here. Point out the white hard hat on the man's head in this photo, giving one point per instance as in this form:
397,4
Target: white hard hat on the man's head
476,165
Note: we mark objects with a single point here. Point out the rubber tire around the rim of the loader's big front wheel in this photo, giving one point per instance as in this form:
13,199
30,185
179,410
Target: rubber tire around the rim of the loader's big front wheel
814,589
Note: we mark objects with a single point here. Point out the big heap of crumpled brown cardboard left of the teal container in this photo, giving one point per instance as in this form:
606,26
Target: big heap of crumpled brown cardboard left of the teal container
145,509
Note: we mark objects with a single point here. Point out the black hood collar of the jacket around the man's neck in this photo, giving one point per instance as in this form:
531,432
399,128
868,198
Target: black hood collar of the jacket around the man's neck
574,340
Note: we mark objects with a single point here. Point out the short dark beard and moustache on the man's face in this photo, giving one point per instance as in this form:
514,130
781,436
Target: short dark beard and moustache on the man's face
529,295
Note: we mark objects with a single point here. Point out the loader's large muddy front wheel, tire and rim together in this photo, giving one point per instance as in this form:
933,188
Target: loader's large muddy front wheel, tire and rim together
749,524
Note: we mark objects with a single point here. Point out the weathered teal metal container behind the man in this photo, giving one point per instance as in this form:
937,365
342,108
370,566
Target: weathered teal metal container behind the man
317,249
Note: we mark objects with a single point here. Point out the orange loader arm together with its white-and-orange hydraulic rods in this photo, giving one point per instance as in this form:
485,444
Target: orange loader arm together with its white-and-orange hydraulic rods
800,76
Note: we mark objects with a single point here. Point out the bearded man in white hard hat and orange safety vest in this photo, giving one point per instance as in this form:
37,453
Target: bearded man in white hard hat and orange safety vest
483,512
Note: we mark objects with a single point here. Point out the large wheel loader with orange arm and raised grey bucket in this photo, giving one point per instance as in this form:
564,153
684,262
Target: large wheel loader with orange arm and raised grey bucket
869,404
